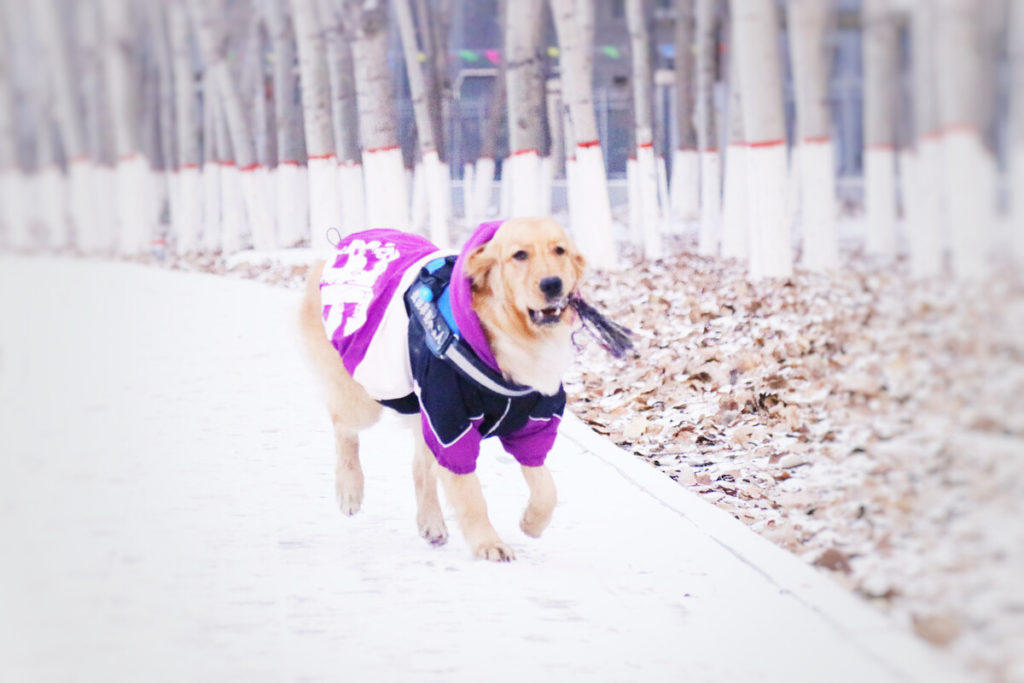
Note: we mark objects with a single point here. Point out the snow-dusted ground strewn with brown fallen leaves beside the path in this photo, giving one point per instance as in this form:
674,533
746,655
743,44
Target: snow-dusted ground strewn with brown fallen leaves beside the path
868,423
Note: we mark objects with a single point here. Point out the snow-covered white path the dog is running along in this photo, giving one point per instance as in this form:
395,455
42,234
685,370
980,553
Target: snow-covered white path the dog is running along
167,514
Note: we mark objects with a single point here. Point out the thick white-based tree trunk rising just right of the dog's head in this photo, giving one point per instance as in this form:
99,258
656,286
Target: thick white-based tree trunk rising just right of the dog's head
590,216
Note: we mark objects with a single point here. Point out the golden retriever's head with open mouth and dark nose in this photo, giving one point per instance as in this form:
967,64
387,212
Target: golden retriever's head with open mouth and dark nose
528,270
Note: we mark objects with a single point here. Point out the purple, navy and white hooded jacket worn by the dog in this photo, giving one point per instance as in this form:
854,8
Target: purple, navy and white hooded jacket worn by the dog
366,320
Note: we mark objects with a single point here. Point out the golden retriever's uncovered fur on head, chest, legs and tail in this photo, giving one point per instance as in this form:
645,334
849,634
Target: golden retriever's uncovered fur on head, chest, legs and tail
507,275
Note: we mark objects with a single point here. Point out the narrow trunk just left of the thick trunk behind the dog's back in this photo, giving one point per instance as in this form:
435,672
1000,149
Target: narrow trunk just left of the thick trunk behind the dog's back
346,116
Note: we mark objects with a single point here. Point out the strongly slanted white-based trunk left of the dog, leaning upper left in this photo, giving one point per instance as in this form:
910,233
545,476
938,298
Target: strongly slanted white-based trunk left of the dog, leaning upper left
212,49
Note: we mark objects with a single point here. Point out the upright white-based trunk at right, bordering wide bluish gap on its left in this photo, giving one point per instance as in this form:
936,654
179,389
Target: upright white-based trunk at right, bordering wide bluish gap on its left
880,40
